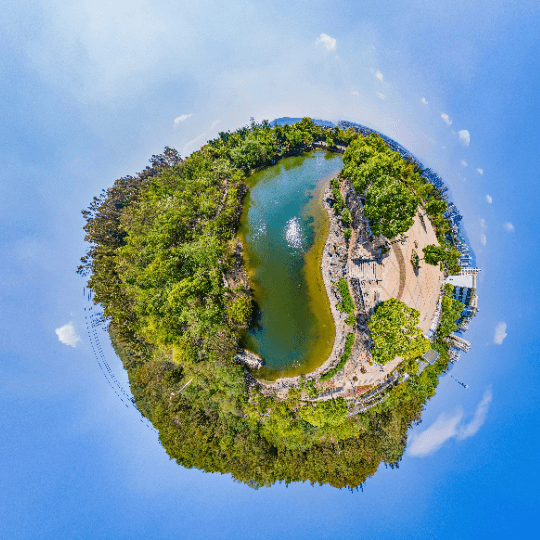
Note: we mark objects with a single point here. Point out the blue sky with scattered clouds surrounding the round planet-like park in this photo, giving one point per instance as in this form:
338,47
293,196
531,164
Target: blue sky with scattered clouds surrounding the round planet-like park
90,90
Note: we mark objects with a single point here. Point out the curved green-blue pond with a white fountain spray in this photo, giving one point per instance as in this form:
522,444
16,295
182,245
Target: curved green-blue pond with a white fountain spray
284,228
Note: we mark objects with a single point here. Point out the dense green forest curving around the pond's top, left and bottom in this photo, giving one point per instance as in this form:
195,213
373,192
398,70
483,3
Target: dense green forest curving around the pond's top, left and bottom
165,264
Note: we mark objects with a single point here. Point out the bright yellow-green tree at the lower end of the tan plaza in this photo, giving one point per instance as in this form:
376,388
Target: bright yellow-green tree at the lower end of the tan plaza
395,332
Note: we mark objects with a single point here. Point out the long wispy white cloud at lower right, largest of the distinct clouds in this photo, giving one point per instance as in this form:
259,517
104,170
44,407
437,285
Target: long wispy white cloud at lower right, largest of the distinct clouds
448,426
